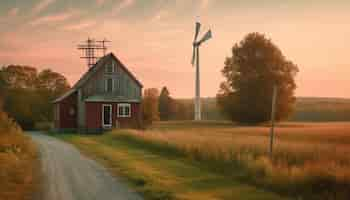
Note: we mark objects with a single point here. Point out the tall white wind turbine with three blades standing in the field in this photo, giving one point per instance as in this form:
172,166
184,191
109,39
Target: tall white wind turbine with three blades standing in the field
195,60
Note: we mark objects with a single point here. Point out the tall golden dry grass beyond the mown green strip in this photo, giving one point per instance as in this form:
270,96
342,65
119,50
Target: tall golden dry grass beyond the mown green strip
310,161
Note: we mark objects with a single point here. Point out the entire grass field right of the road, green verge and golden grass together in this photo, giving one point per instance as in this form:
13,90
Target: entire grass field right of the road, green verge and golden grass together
219,160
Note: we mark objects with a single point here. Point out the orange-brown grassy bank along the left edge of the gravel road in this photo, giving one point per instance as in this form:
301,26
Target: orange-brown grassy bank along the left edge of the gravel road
18,163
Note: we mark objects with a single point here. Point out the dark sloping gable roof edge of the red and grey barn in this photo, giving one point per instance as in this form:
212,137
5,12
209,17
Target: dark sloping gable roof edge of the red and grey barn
100,63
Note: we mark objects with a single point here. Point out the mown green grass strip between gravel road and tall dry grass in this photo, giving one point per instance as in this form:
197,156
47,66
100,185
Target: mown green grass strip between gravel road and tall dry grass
160,171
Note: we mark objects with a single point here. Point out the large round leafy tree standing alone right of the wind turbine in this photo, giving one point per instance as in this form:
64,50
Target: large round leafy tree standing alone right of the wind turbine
250,74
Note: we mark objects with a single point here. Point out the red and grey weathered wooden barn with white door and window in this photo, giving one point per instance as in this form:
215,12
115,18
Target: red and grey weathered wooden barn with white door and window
107,96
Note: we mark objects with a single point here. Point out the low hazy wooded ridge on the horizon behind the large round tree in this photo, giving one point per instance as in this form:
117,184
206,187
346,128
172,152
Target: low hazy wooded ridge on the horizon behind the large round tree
307,109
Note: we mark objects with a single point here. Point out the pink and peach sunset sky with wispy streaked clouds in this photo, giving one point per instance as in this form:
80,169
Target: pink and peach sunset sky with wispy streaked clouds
153,38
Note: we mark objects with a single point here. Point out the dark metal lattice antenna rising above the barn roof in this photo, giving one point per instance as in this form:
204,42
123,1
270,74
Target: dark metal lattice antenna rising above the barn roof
93,50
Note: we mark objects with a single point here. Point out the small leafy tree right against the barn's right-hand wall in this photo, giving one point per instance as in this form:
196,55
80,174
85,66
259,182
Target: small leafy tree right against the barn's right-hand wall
150,106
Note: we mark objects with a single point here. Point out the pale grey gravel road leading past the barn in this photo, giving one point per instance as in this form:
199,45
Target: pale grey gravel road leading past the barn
68,175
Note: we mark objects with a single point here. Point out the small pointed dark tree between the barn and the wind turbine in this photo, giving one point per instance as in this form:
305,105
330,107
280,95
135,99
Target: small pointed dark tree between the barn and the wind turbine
167,105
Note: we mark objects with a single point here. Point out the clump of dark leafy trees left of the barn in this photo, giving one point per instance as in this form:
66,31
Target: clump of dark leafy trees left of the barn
27,93
